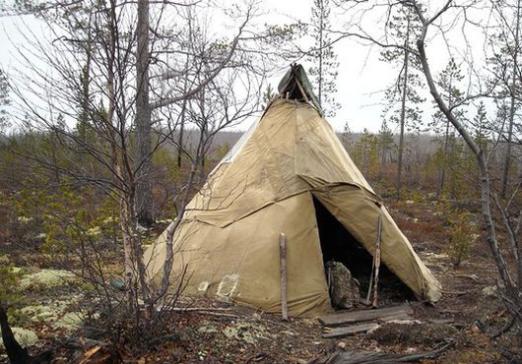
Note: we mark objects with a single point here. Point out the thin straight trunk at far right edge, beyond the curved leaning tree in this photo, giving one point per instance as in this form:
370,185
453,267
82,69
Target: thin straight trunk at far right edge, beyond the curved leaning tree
507,158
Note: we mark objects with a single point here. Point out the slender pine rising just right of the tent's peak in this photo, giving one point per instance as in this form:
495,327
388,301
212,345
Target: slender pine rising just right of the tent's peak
323,58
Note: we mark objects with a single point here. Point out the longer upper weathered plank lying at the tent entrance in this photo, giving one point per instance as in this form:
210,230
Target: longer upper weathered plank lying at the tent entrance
383,314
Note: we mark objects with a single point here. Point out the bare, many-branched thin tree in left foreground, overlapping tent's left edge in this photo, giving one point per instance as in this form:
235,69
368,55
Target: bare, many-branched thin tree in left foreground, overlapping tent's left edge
95,99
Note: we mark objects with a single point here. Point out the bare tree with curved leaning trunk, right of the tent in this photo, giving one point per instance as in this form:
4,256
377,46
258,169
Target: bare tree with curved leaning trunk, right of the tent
432,20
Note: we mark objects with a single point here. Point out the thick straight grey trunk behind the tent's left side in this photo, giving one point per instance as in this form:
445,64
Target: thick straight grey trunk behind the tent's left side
143,118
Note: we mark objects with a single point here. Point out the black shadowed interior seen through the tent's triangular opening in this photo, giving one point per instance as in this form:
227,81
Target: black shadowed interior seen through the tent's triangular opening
338,244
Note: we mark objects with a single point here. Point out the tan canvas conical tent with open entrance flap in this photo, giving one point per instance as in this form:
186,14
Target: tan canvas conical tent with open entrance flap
286,167
